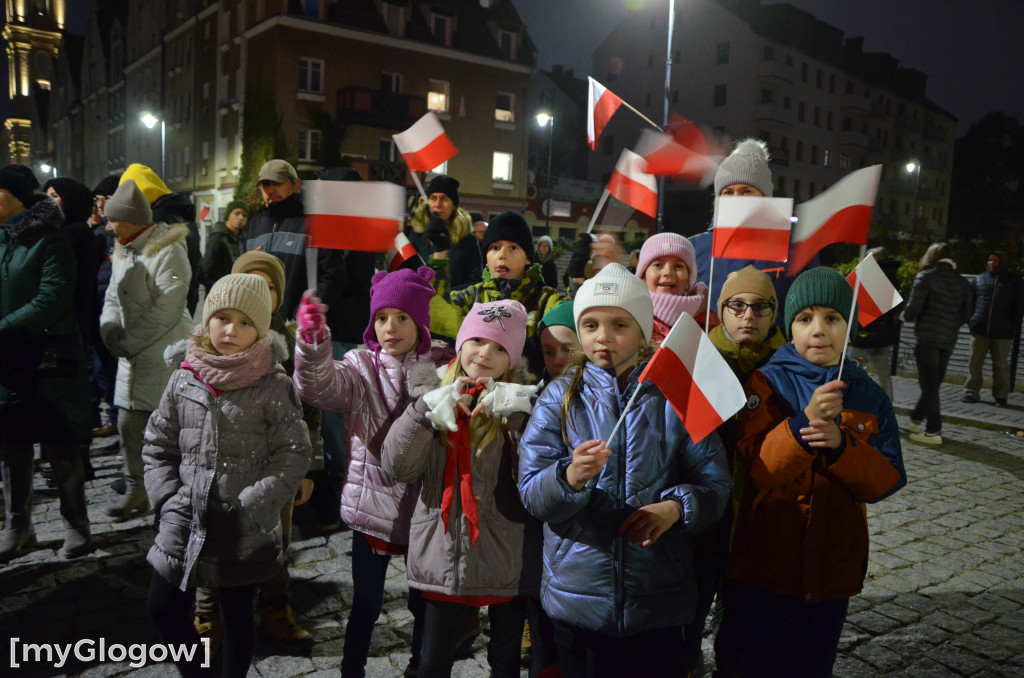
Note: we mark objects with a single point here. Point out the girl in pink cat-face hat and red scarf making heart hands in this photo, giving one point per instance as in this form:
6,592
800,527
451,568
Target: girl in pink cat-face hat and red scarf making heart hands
472,542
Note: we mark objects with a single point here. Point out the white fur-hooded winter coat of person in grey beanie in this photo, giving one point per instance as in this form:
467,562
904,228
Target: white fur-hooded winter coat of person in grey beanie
145,312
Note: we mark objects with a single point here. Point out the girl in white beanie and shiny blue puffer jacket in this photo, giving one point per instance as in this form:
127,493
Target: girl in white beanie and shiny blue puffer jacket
618,571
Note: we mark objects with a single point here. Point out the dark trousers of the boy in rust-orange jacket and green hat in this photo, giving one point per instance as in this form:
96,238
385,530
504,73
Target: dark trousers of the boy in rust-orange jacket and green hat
780,637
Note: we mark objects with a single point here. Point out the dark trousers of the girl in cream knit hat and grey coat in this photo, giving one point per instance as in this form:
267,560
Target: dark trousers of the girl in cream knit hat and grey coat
170,610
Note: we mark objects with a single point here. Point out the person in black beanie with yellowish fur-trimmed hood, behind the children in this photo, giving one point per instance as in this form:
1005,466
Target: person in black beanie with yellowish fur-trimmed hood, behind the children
439,225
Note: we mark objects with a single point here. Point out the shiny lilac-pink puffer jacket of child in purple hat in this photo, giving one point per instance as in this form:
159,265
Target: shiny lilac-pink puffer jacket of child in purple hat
371,391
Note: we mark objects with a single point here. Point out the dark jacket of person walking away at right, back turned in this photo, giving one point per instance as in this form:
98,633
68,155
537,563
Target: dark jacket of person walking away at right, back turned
941,302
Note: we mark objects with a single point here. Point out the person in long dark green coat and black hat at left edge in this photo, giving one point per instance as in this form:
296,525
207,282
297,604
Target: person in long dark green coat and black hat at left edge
45,397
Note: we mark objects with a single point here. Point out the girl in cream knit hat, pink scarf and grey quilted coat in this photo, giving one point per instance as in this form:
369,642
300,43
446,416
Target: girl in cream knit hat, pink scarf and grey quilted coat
225,452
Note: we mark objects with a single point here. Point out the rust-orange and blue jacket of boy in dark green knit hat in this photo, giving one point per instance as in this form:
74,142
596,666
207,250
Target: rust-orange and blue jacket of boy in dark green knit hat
801,526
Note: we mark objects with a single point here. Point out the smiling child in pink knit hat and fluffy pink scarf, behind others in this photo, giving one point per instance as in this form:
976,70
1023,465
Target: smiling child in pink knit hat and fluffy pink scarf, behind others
667,267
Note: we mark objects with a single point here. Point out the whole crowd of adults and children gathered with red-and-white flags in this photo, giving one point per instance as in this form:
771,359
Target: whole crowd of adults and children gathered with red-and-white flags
458,413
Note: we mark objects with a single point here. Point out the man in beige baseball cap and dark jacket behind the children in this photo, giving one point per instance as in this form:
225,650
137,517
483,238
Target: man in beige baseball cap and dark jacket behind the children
274,228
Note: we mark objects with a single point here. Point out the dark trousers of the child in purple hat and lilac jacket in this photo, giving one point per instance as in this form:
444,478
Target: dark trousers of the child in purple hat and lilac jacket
369,573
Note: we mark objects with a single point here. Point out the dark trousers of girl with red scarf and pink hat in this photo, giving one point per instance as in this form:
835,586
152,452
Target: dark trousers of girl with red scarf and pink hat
444,621
